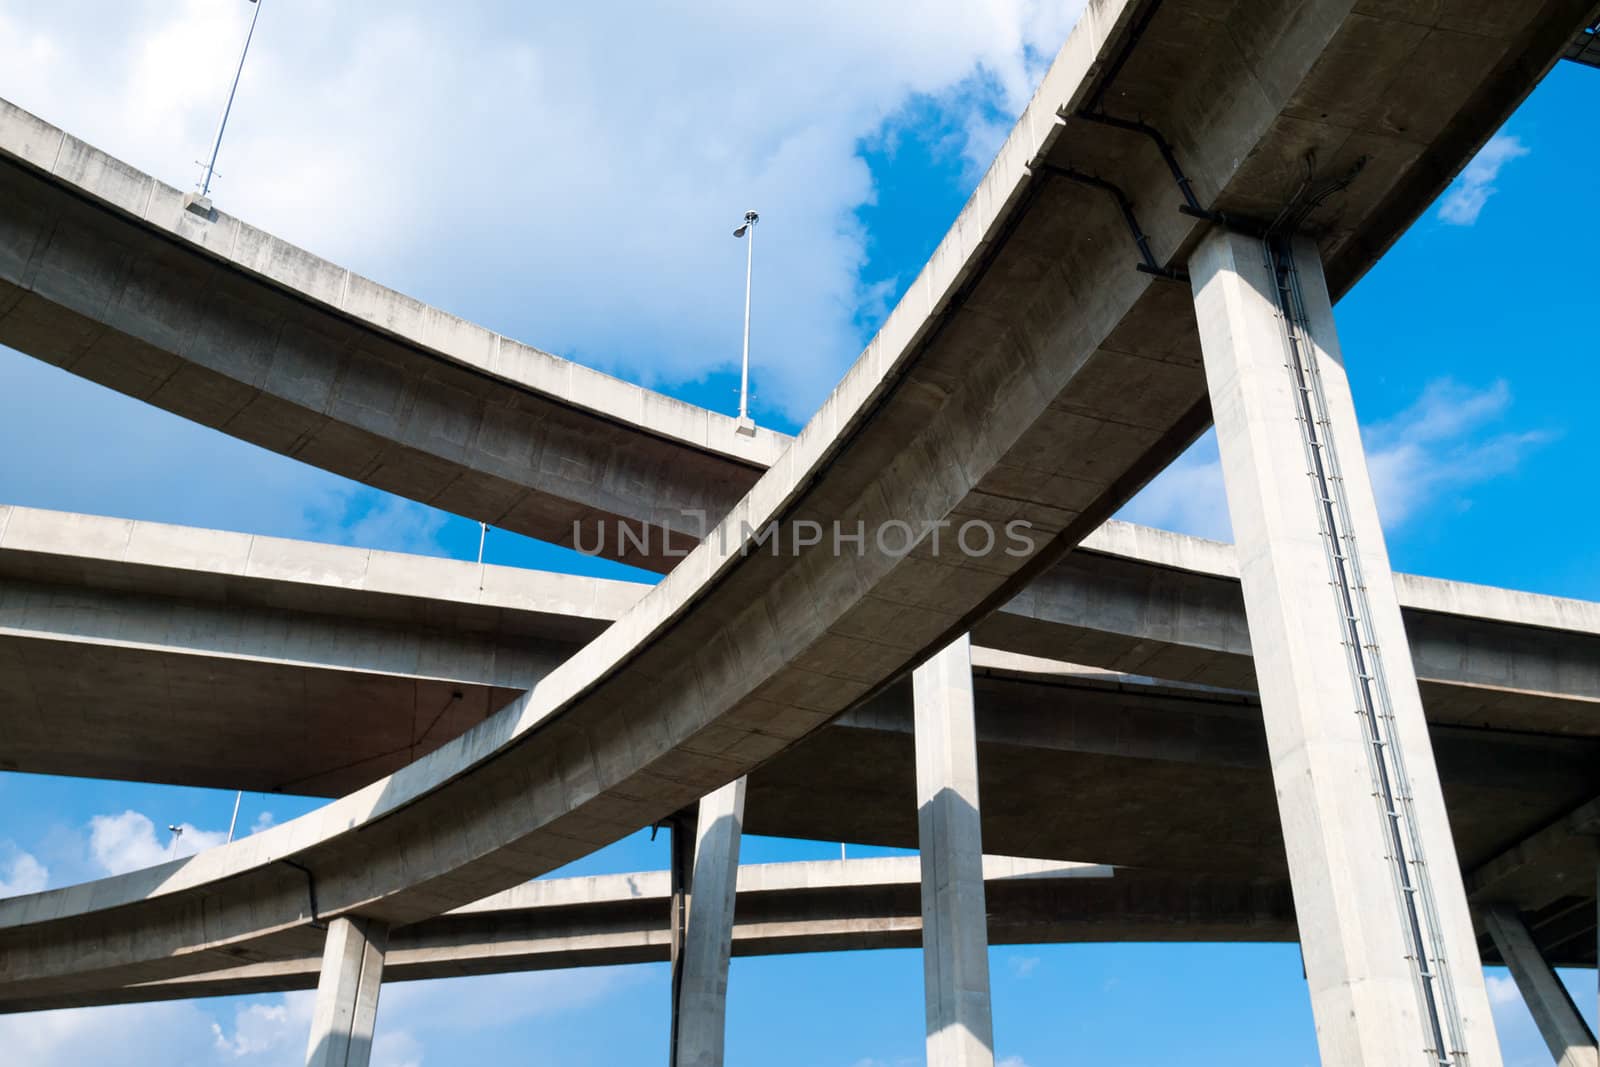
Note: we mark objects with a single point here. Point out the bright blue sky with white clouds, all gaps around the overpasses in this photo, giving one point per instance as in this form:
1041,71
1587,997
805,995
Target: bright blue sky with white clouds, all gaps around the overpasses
615,174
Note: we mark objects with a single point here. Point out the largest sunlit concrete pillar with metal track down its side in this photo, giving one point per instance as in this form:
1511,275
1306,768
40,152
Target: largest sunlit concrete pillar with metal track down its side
1390,948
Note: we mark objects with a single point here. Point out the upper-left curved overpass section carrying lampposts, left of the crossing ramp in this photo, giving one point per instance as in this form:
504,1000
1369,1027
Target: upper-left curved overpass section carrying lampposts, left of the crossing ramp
105,274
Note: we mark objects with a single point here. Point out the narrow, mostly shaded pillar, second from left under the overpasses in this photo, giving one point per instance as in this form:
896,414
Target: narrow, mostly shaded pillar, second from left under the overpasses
702,1009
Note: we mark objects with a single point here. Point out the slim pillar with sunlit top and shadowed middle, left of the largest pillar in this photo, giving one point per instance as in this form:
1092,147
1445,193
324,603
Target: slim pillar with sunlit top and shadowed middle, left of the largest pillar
954,919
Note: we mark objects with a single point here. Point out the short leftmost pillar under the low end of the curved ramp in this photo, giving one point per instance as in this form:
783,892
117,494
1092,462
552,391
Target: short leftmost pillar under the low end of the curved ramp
346,1010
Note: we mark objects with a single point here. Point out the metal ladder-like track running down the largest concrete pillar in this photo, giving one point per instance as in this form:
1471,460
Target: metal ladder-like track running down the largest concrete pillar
1386,761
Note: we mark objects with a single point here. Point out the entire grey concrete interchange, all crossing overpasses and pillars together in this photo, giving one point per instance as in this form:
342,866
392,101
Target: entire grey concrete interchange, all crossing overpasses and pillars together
484,727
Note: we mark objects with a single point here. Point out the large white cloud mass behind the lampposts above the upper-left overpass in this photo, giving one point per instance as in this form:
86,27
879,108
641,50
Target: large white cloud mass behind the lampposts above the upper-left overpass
562,172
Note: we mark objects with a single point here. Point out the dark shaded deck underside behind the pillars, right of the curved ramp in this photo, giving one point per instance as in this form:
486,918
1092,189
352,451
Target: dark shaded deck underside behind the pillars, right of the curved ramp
1177,778
